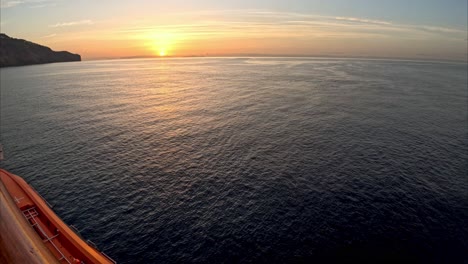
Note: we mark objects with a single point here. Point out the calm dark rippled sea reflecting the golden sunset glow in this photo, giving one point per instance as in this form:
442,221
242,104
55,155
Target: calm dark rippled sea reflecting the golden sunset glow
251,160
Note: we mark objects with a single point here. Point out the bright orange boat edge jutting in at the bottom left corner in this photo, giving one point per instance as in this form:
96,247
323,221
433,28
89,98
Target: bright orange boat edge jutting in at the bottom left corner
62,242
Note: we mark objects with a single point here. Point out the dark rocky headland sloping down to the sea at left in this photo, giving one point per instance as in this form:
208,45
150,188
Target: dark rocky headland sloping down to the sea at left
20,52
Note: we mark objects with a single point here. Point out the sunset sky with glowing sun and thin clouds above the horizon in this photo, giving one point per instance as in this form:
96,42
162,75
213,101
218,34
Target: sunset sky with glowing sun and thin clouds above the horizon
416,29
